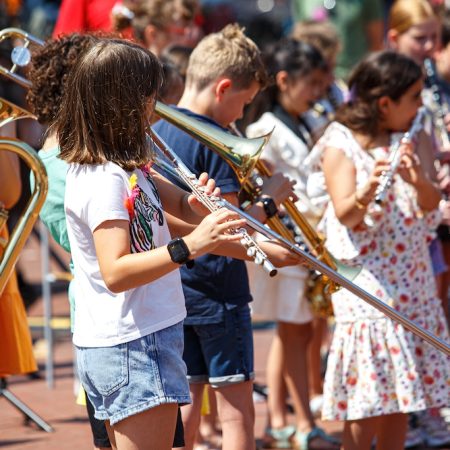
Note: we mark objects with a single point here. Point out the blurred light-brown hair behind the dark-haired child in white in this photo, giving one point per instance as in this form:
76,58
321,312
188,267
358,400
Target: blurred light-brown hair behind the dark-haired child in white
321,35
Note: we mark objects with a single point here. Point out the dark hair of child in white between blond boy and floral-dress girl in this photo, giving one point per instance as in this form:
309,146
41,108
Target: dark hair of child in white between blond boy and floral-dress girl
295,57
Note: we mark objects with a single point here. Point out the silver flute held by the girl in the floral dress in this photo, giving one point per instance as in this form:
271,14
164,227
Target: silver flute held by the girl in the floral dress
395,157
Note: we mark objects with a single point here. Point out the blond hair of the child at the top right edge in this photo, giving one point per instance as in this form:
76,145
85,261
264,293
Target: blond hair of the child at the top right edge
404,14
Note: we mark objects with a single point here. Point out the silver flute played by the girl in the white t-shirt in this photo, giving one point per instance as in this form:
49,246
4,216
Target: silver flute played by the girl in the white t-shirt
212,203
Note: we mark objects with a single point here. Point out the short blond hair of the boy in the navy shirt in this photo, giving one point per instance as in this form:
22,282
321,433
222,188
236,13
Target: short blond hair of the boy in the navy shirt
227,53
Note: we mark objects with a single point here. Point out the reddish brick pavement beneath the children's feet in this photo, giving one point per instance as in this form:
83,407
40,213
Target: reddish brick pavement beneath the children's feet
56,405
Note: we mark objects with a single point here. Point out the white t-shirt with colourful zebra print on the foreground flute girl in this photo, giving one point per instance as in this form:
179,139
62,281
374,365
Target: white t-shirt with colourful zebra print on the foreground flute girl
95,194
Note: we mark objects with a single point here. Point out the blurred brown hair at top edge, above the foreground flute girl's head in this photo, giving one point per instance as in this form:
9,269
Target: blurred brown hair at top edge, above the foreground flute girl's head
138,14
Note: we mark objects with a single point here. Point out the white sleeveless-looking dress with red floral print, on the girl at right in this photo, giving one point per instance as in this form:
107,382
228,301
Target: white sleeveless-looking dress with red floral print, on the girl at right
375,366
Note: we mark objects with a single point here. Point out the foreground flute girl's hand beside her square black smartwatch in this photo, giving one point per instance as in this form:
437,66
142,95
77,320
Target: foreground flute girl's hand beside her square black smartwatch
213,230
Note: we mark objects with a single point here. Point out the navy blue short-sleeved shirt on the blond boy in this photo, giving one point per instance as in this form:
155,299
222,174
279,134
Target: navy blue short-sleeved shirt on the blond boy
215,282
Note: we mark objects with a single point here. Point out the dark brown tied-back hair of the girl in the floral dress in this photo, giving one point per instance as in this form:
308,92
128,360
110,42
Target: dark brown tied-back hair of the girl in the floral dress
385,73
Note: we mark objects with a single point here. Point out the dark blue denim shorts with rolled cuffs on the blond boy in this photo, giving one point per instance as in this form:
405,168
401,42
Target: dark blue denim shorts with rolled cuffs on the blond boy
221,353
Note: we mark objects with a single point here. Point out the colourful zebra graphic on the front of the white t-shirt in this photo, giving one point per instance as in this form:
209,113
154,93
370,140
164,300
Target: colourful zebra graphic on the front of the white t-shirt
146,212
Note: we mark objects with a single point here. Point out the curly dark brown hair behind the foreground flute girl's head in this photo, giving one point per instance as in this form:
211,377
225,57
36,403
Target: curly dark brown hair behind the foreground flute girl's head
49,70
